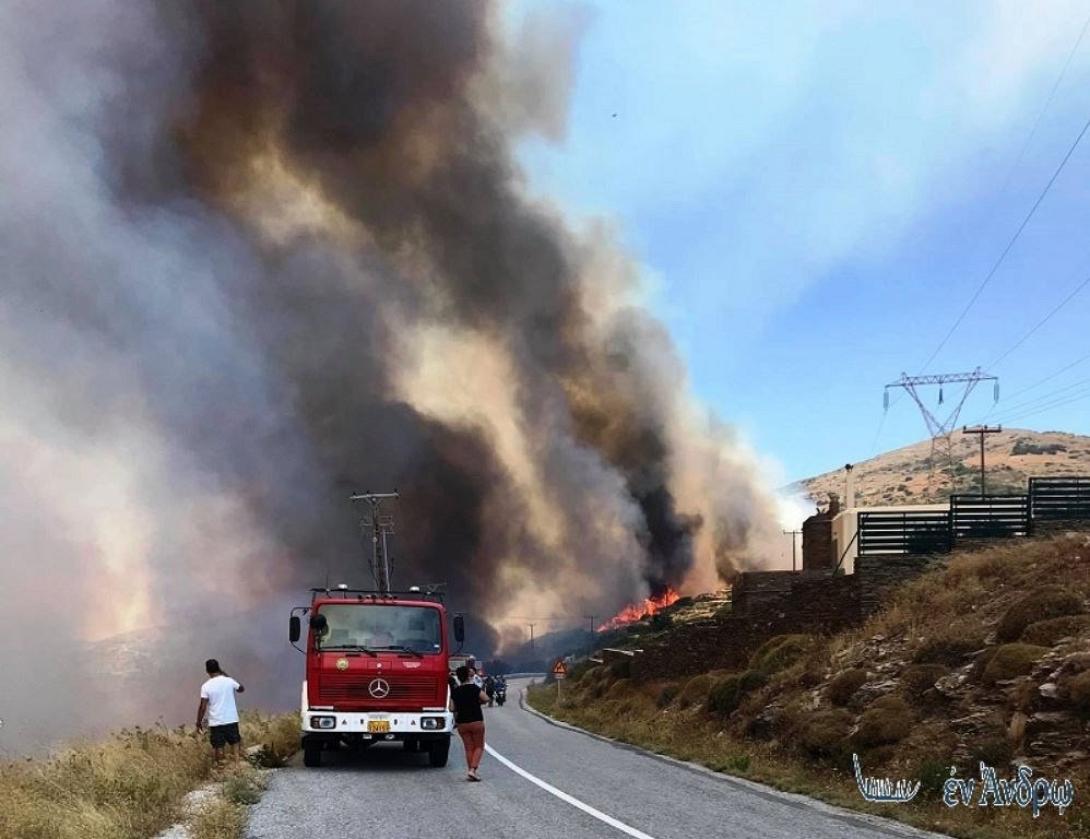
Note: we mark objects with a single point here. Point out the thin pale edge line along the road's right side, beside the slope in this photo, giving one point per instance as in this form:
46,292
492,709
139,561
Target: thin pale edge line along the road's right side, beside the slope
794,799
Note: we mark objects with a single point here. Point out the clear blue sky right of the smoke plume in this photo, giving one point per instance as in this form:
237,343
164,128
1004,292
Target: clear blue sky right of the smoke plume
816,190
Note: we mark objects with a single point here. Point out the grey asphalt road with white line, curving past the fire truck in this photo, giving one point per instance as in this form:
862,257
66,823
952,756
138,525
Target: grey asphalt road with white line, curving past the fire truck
580,787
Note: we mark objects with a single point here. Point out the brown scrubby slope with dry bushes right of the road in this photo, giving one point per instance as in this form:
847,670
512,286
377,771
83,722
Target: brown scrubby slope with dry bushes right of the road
987,659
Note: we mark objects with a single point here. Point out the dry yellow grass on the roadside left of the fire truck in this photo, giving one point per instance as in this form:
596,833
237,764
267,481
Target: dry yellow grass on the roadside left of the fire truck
128,787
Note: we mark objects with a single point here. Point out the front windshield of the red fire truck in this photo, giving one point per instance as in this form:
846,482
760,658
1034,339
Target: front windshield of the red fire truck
415,629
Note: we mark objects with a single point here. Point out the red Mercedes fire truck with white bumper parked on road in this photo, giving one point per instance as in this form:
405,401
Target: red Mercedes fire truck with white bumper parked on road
377,671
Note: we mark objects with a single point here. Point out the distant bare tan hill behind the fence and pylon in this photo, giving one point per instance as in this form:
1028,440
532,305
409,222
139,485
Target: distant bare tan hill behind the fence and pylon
902,476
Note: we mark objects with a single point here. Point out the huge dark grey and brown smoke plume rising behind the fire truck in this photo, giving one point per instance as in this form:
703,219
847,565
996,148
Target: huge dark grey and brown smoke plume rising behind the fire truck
259,256
